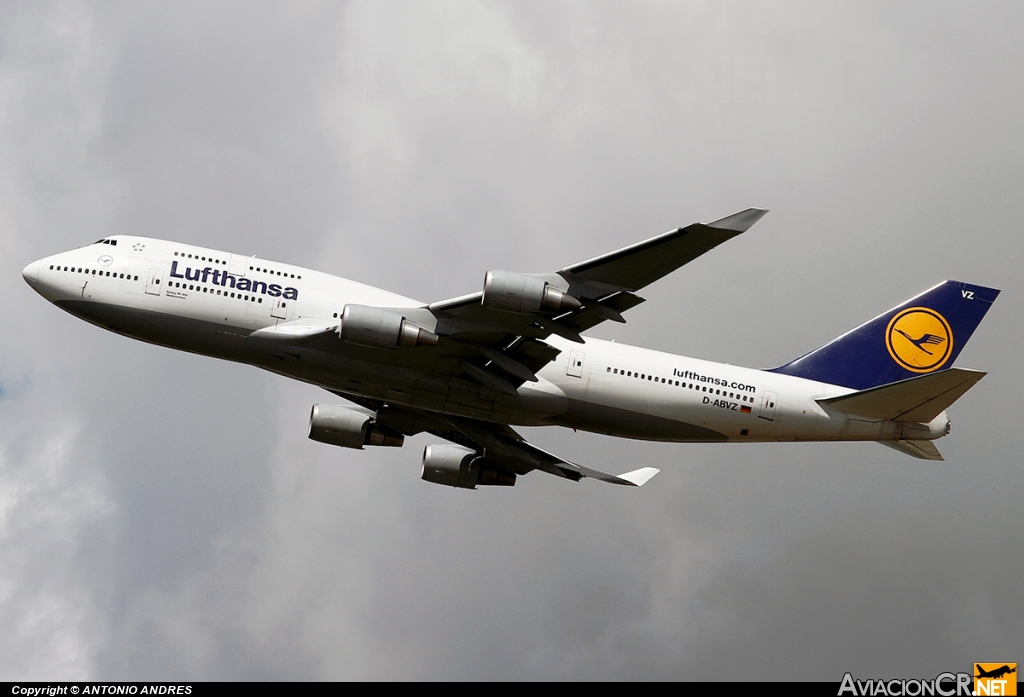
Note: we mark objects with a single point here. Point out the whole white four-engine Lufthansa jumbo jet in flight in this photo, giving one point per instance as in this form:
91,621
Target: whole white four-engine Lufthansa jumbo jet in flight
468,370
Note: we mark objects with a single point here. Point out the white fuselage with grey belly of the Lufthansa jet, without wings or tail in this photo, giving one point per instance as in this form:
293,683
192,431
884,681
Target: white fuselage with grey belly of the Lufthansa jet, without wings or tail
210,302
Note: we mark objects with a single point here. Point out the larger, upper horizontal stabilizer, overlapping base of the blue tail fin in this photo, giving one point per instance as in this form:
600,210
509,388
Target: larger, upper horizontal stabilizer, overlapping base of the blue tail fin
918,400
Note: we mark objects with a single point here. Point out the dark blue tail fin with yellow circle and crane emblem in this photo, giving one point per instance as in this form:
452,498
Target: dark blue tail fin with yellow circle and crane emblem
923,335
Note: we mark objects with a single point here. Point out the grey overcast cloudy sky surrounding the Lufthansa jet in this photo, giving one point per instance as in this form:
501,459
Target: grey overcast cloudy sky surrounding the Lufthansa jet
163,515
